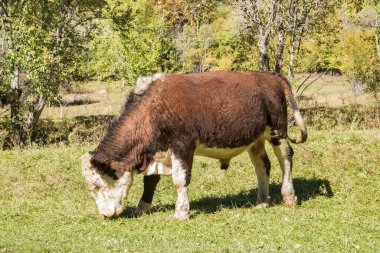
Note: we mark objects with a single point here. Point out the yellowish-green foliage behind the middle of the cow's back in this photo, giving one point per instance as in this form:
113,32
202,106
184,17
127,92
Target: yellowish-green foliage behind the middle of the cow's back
215,44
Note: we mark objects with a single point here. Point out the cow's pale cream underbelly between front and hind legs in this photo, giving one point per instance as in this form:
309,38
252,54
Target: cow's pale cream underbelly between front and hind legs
219,153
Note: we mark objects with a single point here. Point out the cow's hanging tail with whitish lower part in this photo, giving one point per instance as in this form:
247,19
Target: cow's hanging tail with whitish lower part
297,115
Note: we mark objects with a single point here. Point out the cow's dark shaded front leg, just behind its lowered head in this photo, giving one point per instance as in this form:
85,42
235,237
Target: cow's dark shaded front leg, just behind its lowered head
150,184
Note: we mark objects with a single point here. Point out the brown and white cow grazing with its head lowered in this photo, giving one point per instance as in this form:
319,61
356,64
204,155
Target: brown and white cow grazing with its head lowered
170,118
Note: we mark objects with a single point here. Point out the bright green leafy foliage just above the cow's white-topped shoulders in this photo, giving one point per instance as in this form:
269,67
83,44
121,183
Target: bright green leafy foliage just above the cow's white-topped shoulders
144,43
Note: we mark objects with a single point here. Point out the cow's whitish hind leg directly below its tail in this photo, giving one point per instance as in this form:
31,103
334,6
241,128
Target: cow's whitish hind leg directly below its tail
284,153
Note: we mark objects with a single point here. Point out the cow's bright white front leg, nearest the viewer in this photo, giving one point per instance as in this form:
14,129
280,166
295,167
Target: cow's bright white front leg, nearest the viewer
179,179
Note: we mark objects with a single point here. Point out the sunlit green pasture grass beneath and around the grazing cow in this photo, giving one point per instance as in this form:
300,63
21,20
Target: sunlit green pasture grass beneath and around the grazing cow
45,205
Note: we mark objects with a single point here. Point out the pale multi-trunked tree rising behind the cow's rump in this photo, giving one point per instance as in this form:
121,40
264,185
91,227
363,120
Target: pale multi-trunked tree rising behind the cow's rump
293,19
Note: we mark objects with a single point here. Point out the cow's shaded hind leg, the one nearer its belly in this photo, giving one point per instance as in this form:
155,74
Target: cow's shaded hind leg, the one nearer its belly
261,162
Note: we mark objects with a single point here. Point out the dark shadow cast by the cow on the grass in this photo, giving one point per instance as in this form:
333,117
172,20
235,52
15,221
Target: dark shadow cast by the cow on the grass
306,189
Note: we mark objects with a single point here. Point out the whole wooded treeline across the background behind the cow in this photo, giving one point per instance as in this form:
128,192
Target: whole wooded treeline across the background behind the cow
46,46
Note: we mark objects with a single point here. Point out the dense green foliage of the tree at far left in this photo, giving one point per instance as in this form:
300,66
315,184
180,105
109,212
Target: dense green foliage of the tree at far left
48,52
